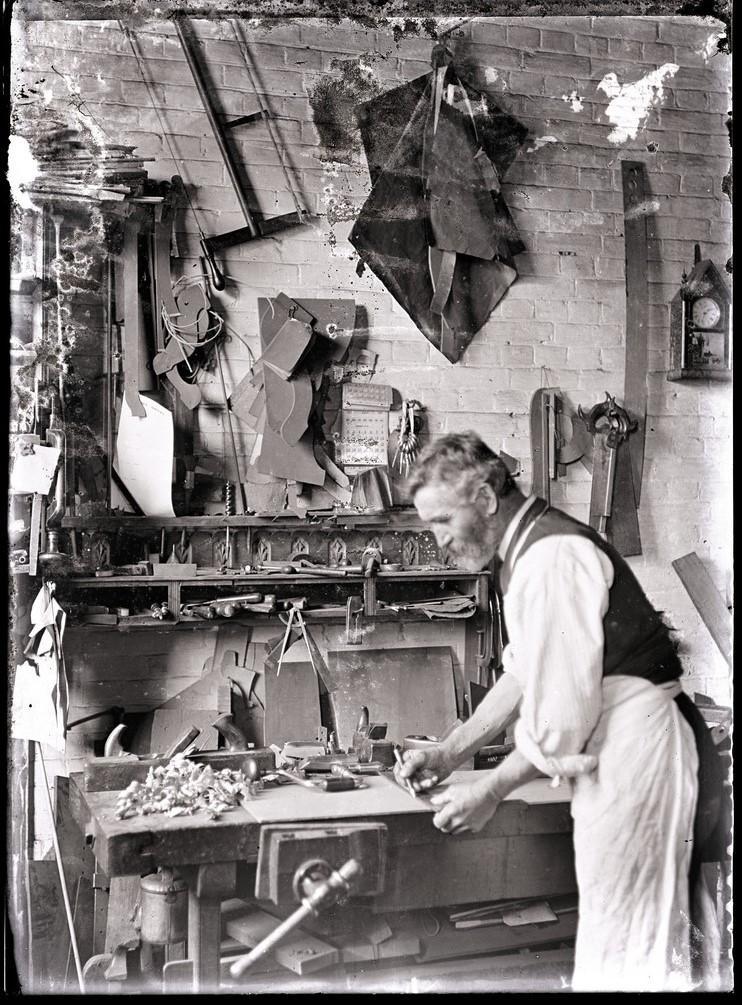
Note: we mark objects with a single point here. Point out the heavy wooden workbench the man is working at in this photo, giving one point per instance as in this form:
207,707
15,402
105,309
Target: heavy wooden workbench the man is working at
524,852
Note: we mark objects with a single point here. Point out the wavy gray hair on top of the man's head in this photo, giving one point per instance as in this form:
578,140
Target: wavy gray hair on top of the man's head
462,460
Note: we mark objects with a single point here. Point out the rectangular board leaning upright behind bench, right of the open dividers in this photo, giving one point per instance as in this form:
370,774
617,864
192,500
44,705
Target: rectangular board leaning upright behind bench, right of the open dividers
412,690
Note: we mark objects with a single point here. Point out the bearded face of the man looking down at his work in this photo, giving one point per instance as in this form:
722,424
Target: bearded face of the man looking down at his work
461,524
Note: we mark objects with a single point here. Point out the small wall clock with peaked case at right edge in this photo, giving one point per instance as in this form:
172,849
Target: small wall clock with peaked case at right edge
701,325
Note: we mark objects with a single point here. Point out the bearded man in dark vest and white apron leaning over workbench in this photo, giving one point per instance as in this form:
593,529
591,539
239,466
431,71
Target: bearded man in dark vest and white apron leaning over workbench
593,677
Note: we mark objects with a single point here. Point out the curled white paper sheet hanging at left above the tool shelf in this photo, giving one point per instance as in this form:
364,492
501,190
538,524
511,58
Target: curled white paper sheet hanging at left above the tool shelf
144,457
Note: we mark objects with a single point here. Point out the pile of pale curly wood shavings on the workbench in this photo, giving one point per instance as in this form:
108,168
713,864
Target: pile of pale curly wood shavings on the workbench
183,787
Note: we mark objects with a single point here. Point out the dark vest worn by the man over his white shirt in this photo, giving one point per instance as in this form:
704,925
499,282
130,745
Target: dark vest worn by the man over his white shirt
638,643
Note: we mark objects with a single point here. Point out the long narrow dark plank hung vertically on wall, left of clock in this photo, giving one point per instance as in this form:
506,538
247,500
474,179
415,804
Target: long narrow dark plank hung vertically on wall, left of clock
637,208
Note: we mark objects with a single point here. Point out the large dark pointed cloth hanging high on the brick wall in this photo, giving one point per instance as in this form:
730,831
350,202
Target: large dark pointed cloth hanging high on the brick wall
436,229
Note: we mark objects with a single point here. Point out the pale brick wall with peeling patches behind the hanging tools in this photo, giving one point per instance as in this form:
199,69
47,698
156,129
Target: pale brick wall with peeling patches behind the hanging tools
562,324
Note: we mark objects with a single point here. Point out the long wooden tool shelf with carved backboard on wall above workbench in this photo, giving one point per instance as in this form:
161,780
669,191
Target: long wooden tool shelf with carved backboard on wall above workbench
328,596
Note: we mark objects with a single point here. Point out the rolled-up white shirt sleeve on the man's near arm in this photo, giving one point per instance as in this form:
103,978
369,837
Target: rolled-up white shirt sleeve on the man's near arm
554,612
